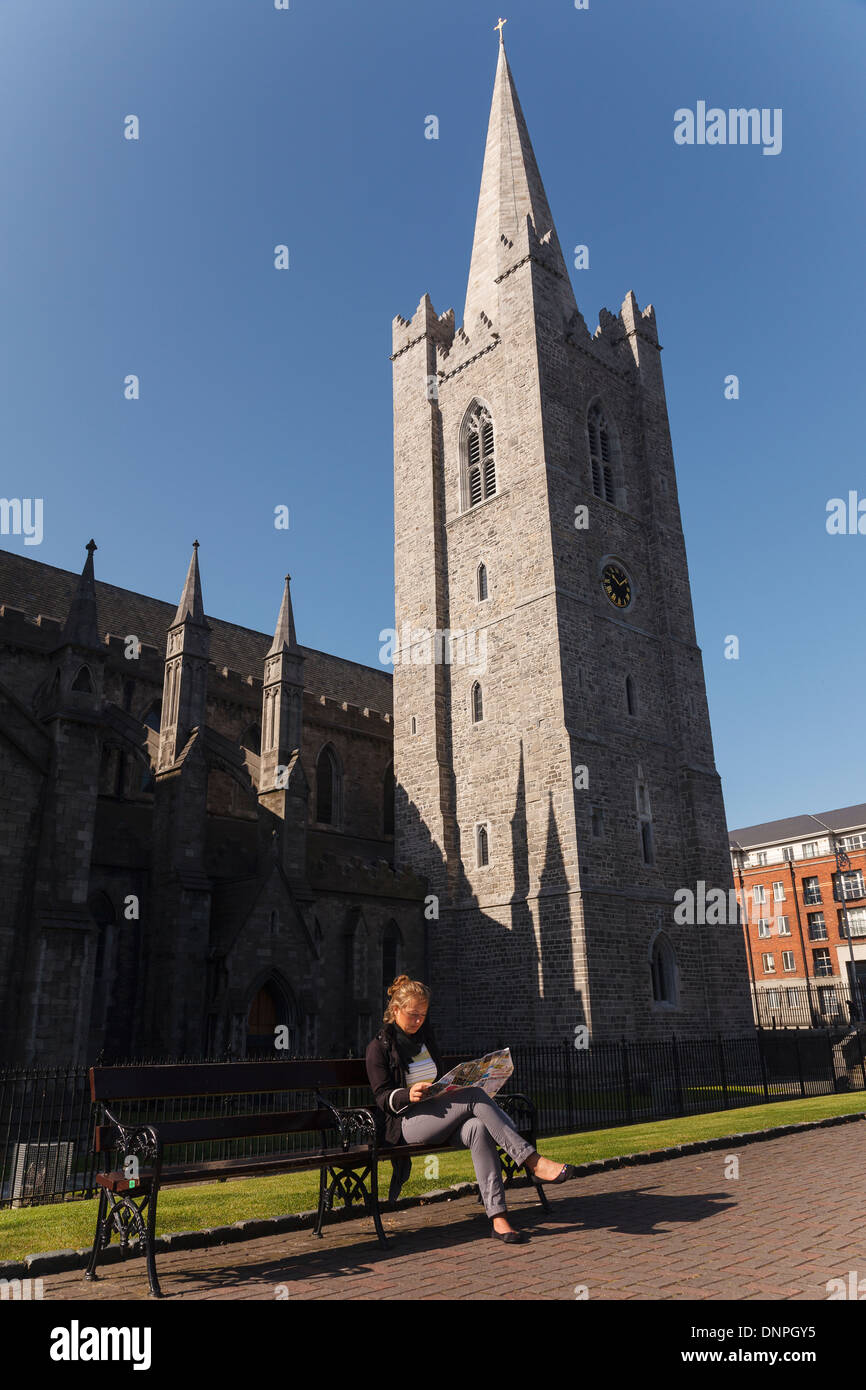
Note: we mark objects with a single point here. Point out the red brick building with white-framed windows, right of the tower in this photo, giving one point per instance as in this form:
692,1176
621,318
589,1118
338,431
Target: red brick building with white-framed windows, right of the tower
804,917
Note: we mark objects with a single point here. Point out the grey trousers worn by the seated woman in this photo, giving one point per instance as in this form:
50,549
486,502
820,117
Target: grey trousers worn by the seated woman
479,1125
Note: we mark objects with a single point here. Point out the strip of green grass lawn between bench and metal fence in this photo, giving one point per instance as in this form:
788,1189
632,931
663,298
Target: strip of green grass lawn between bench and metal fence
70,1225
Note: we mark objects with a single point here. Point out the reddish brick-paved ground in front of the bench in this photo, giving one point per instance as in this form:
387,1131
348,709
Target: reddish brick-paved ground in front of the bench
679,1229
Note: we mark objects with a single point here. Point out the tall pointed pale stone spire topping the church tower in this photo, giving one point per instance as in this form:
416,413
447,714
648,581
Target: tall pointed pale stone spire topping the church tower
511,191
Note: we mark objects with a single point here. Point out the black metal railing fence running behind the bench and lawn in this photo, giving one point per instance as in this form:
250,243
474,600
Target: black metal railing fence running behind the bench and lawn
47,1118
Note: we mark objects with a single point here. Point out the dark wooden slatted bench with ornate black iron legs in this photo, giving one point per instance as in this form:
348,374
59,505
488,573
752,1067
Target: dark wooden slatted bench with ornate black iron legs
347,1149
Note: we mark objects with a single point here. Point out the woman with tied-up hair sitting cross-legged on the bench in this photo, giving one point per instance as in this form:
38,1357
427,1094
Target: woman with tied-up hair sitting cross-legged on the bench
402,1063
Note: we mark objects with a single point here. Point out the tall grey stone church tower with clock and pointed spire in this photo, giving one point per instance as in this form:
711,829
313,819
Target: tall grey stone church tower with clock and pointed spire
554,757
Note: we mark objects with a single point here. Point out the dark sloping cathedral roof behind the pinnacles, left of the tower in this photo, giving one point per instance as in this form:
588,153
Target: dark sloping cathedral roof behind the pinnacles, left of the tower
37,589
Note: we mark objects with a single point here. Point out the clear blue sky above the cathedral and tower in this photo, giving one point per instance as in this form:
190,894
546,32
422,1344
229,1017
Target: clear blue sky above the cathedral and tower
261,389
